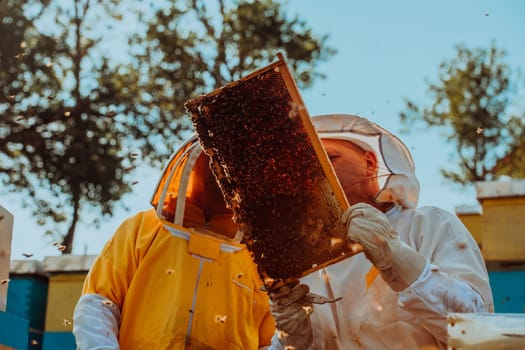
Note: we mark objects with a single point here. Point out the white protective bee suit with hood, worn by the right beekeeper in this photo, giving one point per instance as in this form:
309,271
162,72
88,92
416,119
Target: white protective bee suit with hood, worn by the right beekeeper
371,315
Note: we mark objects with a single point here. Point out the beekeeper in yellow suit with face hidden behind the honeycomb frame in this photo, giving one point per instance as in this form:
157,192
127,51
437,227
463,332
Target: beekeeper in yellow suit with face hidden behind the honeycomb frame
176,276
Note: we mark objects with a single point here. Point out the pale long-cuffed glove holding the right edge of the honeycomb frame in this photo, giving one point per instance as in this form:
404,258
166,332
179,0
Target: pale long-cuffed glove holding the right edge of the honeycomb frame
399,264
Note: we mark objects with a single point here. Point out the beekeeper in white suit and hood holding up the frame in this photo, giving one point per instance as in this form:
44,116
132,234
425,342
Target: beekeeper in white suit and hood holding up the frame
418,265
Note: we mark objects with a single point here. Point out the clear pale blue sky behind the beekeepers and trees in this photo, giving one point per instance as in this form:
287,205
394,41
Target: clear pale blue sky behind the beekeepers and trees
386,50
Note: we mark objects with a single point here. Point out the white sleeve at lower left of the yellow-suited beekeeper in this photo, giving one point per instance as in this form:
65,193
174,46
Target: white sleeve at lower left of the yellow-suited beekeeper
96,323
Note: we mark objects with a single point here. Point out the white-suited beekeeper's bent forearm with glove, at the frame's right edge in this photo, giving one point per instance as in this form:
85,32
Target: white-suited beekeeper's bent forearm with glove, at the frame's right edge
424,290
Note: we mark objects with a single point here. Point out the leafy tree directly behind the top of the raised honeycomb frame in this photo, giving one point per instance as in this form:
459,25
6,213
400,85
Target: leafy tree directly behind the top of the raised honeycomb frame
196,46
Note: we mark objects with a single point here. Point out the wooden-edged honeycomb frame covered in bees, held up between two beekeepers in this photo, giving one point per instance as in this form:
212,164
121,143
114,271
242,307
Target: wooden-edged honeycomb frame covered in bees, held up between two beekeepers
274,173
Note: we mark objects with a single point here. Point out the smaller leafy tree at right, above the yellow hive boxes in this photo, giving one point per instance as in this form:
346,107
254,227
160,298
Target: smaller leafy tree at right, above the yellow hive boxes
472,102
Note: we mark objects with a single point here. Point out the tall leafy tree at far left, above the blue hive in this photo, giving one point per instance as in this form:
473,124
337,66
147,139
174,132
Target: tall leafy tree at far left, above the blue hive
61,145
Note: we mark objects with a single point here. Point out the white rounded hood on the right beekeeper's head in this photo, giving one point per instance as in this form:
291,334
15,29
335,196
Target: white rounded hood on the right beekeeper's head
396,171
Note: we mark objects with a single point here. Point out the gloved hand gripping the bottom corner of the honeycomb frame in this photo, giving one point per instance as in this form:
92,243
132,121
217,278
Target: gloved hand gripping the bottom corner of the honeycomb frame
291,309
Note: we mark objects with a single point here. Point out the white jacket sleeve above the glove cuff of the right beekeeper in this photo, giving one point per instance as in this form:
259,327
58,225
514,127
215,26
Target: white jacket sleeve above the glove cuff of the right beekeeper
454,280
